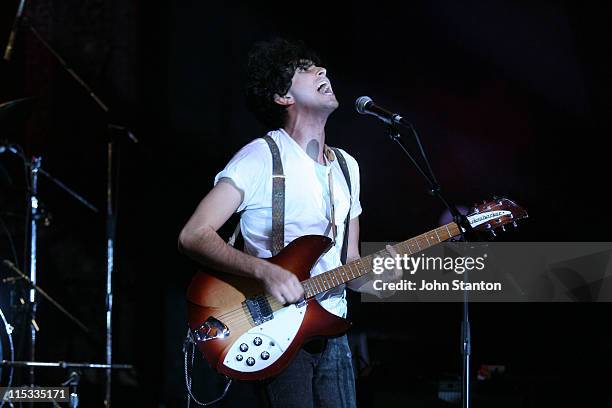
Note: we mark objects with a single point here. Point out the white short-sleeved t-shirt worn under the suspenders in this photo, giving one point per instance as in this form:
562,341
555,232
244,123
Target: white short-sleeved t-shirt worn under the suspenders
307,202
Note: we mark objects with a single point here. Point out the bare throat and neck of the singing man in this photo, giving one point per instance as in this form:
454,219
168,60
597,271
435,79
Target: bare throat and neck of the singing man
309,133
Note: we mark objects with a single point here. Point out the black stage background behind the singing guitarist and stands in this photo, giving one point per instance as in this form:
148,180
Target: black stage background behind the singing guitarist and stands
509,97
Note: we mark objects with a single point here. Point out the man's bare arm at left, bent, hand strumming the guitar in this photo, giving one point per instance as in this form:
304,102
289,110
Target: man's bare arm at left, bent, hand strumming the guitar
200,241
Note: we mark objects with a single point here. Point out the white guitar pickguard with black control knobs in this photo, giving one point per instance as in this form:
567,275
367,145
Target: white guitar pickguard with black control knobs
263,345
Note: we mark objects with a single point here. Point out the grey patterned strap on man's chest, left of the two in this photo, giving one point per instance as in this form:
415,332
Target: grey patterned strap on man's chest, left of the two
278,198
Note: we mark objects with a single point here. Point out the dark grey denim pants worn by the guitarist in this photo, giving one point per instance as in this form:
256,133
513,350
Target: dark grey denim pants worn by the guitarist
323,379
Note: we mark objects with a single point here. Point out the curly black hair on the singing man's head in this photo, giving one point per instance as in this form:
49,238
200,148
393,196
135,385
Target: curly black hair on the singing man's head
270,68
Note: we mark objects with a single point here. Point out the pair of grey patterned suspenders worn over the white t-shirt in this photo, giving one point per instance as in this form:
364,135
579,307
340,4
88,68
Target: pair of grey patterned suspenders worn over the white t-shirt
278,201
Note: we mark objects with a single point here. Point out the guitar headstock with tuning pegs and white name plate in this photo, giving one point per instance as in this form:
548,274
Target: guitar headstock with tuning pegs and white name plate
494,214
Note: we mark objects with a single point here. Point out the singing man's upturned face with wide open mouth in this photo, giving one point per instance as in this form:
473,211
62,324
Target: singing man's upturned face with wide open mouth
311,90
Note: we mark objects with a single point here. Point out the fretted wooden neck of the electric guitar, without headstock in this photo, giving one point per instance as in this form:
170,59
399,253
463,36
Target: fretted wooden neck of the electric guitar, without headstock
360,267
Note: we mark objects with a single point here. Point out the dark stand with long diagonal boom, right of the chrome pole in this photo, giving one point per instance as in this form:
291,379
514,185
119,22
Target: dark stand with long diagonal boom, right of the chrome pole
111,215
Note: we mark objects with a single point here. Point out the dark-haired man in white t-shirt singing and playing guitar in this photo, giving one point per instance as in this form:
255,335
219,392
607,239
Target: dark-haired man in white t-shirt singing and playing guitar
290,93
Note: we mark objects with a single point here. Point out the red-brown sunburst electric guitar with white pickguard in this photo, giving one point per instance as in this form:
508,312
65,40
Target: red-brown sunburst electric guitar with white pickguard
246,334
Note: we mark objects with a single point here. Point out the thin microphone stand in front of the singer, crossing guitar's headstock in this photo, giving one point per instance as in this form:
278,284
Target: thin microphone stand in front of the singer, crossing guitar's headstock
467,233
